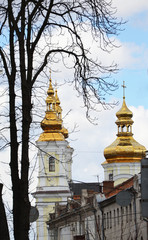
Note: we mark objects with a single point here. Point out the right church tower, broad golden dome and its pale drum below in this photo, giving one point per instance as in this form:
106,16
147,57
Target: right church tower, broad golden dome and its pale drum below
123,156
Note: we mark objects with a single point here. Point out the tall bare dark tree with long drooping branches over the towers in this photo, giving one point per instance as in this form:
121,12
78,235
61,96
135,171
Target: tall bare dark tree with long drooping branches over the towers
30,33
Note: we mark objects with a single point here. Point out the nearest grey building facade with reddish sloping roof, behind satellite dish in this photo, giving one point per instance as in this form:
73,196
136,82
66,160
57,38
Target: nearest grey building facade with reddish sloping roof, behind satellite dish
124,222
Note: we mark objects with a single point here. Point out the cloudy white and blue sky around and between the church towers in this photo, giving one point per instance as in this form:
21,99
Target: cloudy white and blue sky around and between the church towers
88,140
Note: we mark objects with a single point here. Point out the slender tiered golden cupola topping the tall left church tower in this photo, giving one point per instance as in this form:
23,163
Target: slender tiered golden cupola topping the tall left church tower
52,123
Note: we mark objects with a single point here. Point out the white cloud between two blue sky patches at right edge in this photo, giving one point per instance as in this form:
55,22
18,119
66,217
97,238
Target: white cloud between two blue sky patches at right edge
126,55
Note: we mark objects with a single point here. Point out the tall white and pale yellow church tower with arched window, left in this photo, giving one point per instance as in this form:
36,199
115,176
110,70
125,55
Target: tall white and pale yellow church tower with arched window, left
55,159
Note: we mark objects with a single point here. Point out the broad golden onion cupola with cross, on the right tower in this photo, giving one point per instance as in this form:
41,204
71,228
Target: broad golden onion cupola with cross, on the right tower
124,148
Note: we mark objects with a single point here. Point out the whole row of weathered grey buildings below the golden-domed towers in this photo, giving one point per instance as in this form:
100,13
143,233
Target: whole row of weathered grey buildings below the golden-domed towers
97,217
